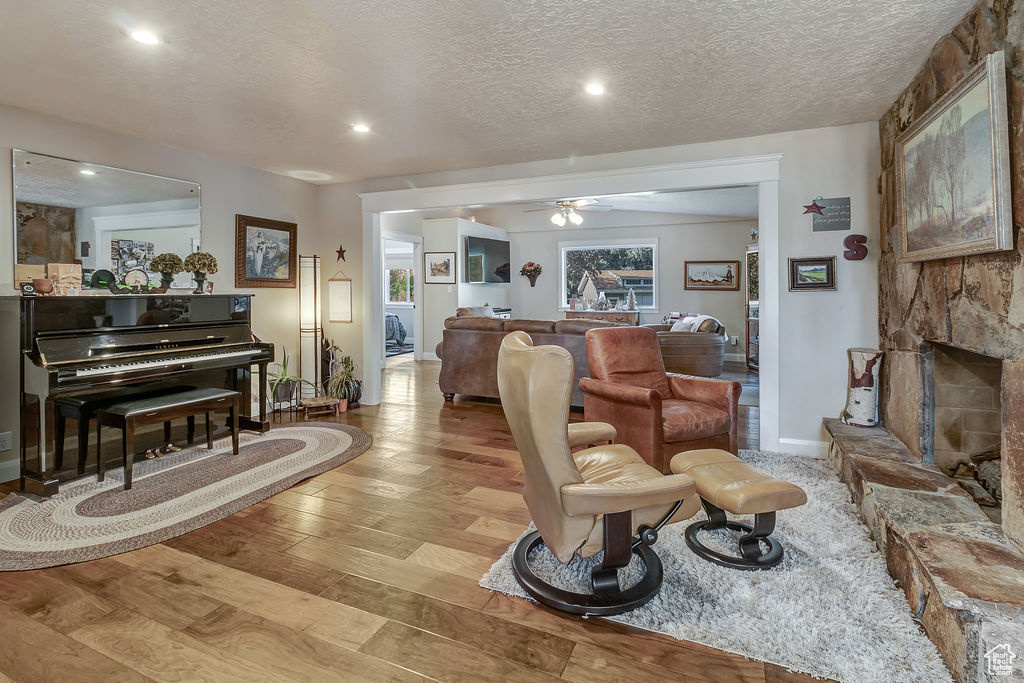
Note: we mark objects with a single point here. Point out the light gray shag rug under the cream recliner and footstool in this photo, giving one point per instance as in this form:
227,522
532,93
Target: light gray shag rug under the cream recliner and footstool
830,610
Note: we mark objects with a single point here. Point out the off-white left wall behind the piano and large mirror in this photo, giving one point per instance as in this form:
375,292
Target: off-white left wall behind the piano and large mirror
227,189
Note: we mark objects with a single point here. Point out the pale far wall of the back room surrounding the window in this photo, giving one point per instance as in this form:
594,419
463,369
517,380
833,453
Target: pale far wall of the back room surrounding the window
679,239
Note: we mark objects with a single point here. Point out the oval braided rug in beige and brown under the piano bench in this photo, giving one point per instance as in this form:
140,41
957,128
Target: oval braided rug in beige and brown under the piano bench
169,497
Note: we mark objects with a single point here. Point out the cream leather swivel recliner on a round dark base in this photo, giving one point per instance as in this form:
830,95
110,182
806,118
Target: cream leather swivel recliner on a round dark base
584,502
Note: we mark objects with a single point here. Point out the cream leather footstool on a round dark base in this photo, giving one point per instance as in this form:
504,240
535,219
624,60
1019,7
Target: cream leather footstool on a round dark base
726,484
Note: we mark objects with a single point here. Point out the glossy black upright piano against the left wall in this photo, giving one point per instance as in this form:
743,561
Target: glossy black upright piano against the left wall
92,346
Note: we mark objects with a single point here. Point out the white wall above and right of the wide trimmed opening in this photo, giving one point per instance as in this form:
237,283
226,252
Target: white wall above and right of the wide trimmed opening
817,328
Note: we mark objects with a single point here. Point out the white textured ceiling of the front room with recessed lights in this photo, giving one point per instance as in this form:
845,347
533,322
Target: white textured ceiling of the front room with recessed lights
451,84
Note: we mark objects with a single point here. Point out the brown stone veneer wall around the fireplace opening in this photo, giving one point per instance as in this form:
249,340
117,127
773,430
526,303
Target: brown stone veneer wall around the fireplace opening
975,303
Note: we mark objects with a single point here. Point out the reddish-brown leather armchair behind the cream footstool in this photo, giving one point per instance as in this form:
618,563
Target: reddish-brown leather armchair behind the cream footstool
657,413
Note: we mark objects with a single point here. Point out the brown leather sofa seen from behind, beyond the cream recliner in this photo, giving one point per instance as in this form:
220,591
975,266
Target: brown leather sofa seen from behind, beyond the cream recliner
470,351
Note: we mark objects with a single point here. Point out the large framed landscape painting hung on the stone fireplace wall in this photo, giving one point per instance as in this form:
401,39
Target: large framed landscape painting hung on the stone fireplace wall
953,172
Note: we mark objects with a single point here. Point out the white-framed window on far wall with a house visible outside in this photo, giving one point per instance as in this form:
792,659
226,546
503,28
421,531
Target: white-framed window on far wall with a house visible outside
590,271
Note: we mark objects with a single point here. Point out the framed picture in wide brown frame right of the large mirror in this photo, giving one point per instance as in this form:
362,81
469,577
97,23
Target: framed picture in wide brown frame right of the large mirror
265,252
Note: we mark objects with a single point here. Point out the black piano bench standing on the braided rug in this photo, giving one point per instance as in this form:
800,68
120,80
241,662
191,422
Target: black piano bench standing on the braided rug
165,408
